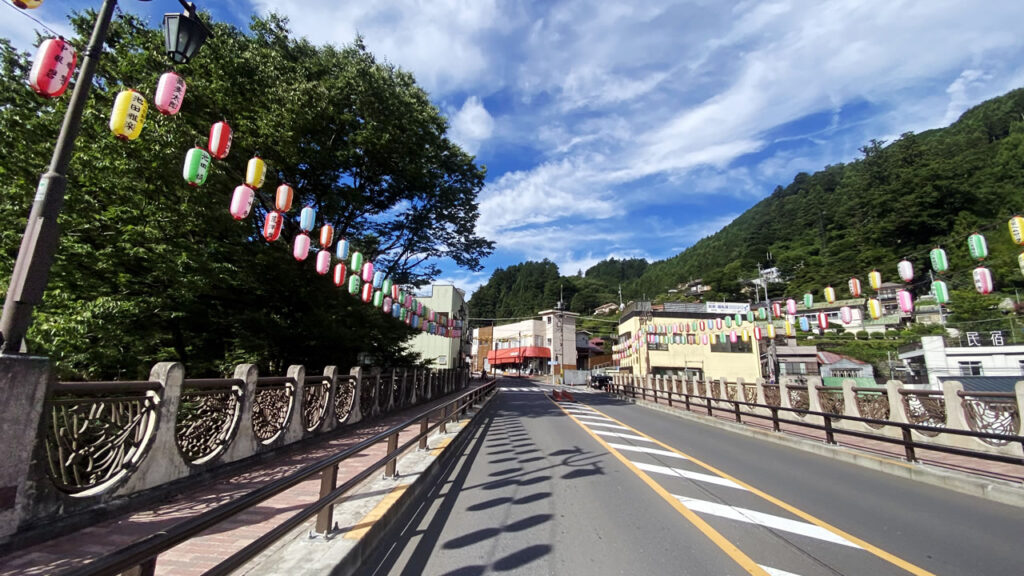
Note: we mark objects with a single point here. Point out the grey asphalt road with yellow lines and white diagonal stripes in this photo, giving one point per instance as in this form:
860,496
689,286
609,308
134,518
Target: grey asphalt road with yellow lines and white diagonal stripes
606,487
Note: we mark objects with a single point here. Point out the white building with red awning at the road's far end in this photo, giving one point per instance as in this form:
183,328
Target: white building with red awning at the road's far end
529,347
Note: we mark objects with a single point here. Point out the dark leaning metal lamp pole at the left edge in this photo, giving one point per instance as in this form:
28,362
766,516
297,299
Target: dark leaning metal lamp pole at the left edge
39,243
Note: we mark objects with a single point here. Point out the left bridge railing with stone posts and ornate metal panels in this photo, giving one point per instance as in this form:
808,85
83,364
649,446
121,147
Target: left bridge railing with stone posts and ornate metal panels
100,444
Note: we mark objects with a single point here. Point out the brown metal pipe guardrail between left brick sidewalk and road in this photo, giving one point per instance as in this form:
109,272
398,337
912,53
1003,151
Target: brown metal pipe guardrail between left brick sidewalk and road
142,557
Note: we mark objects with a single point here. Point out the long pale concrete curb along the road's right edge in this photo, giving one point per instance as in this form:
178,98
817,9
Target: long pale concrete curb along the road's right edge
989,488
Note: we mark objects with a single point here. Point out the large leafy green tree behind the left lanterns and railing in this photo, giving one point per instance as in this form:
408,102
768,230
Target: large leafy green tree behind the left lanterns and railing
150,269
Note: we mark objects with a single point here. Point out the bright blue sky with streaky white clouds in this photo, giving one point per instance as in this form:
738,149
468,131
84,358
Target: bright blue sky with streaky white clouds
634,130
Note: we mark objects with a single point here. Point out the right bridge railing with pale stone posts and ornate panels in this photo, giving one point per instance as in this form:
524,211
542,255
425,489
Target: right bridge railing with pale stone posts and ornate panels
953,421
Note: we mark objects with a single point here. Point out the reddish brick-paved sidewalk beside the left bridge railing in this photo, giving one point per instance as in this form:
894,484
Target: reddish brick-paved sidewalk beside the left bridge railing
200,554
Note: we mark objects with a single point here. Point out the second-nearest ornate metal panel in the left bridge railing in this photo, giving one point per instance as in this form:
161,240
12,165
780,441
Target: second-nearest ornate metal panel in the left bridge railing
208,419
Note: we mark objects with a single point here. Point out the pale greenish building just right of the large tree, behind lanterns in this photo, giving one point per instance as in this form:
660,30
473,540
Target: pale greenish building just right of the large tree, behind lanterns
443,352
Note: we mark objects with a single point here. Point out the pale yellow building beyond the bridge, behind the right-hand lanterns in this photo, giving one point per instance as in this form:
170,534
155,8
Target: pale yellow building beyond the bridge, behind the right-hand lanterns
681,339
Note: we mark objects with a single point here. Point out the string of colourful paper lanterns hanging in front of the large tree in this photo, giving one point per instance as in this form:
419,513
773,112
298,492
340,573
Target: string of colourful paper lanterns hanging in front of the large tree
50,77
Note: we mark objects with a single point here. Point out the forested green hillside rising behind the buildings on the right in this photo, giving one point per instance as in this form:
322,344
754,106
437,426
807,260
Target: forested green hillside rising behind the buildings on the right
899,200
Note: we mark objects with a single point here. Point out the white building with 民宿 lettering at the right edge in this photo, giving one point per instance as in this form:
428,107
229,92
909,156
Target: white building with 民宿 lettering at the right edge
979,360
